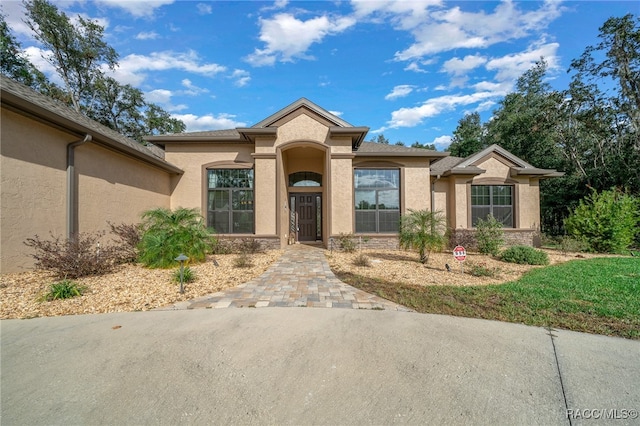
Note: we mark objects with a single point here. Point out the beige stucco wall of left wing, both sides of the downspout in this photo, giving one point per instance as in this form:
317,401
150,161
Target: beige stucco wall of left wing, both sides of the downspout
33,199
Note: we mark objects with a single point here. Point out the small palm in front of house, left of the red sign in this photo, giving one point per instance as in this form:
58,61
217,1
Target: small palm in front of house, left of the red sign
422,230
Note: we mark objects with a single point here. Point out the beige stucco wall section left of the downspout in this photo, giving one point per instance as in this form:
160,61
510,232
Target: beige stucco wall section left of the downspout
33,193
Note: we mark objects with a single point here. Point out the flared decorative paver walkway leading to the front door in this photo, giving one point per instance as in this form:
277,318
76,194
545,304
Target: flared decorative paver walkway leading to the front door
301,277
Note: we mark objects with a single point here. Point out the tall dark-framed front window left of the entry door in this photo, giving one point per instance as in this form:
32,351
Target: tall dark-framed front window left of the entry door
230,201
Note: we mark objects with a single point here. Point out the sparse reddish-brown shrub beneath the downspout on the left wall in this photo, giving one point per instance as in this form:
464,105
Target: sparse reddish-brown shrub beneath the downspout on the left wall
74,258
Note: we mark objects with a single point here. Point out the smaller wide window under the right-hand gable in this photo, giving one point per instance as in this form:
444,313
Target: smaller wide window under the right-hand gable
495,200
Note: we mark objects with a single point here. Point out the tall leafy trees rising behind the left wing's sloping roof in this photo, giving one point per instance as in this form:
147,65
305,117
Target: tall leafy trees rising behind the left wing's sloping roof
80,56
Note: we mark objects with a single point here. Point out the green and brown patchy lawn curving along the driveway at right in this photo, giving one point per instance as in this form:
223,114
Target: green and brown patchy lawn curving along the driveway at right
599,296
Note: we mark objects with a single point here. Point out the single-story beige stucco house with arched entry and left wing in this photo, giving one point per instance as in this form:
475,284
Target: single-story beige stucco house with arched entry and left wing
300,175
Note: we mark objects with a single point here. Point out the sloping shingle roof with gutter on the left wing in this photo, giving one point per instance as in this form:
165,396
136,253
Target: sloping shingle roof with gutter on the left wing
23,99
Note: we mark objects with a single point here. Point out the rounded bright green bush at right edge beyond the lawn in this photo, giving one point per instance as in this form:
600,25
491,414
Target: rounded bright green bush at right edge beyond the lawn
607,221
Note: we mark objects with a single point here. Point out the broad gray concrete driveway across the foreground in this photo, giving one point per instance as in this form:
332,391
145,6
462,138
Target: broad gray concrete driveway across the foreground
306,366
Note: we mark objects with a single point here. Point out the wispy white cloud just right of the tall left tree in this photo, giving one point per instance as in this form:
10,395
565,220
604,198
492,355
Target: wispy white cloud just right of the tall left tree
132,67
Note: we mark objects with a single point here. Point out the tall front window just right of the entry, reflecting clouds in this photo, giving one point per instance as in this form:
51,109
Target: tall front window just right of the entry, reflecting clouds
377,200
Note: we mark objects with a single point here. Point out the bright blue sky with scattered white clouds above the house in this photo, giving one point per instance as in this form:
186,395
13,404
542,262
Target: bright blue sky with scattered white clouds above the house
407,69
